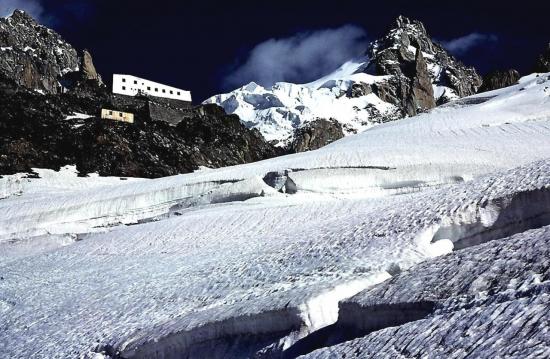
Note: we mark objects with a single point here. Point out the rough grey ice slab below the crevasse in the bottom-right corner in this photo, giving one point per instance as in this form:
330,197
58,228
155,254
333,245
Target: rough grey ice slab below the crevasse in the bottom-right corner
483,296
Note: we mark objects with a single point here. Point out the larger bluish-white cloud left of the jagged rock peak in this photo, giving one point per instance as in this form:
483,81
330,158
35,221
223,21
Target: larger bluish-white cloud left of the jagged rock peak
301,58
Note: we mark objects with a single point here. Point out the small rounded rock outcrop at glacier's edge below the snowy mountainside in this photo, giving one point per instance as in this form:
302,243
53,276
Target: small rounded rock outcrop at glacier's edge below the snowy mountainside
315,135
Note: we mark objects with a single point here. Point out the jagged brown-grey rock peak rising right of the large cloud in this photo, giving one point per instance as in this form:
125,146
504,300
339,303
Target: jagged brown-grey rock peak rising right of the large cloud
415,63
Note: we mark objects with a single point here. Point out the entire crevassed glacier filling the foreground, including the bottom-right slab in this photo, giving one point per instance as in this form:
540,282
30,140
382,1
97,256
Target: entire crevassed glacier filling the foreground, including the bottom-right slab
282,257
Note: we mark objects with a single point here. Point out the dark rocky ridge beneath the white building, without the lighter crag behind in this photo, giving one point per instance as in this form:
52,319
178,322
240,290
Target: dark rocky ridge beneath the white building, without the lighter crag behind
36,134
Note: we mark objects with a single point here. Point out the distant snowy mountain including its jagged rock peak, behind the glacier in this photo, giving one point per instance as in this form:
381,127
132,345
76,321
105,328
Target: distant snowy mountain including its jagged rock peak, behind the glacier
404,73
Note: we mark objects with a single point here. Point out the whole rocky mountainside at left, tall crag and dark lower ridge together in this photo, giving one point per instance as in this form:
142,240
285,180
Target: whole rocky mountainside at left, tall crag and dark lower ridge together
51,95
